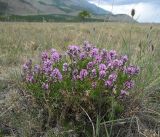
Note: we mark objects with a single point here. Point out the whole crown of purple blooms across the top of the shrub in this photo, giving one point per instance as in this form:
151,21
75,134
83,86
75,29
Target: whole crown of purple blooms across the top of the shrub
99,67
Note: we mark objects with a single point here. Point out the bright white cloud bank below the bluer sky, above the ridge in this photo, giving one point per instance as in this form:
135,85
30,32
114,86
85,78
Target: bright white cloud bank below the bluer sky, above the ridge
145,12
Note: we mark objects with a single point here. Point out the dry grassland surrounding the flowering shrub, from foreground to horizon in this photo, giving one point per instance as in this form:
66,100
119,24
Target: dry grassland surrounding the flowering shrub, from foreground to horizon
21,115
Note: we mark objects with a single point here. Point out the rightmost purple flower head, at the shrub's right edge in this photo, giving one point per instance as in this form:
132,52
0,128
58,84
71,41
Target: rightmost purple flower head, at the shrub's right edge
131,70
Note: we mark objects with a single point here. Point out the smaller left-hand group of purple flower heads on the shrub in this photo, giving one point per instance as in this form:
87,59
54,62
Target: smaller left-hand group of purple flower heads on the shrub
45,71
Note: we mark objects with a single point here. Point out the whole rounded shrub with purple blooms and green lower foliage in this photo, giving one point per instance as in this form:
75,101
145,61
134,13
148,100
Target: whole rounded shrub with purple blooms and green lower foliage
84,76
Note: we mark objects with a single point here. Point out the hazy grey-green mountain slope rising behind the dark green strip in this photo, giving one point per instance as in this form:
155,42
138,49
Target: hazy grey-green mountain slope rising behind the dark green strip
56,7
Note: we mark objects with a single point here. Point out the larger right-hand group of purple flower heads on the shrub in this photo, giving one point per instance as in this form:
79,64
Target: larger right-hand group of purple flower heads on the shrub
107,64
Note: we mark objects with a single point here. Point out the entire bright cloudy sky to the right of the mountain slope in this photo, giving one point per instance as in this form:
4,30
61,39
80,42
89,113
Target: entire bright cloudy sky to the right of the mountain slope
146,10
